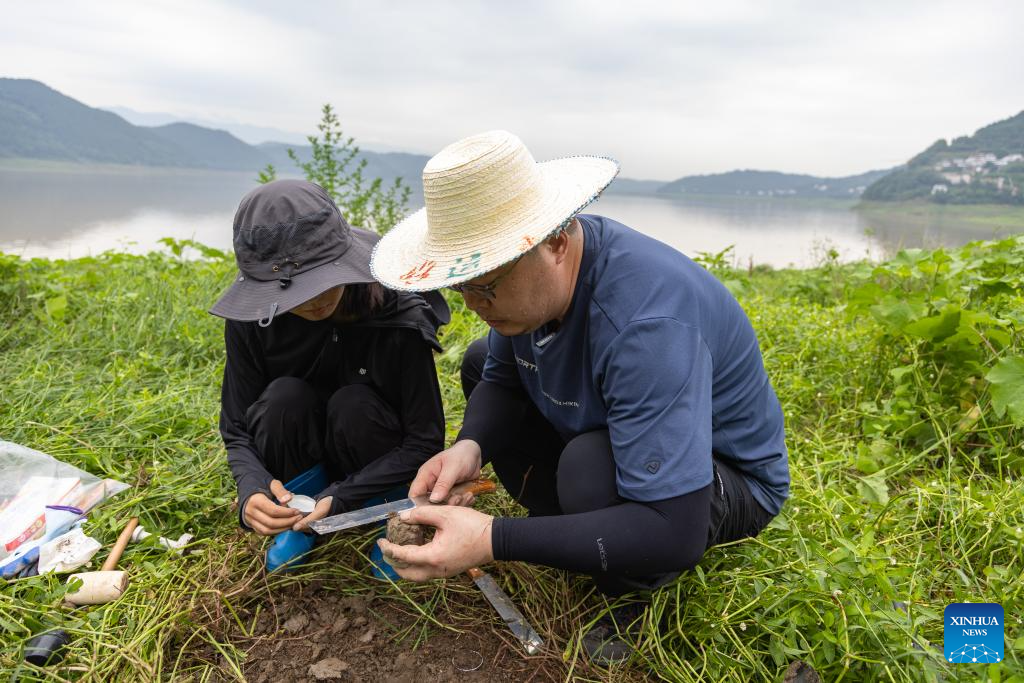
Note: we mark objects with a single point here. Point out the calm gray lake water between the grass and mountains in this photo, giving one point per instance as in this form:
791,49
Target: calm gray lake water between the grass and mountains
81,211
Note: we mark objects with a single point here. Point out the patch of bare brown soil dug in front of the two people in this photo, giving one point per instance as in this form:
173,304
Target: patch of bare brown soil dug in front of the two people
317,634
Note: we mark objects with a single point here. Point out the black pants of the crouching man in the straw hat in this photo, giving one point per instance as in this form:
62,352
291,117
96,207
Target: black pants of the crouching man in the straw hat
550,477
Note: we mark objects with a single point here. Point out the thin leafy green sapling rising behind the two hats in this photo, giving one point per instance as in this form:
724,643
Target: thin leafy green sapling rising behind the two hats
337,167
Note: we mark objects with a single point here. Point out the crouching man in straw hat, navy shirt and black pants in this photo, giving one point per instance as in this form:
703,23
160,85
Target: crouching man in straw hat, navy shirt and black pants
620,396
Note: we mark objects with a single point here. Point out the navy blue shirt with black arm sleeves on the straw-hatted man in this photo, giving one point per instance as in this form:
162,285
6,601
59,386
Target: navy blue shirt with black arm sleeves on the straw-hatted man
656,351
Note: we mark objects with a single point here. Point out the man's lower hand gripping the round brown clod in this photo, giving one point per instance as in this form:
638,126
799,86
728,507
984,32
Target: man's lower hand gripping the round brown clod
462,541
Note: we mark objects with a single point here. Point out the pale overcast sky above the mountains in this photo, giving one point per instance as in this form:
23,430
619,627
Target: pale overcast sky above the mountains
669,89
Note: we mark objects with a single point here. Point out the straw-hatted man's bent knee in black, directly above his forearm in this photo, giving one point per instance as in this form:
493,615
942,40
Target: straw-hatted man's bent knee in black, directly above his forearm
587,475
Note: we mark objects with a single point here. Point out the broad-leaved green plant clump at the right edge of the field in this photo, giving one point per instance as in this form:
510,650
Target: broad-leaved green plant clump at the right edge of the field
950,336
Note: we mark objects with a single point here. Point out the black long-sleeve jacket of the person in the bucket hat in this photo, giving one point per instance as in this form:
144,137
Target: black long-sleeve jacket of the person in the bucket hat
393,352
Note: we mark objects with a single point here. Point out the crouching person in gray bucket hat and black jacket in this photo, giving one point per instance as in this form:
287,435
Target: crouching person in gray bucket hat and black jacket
329,381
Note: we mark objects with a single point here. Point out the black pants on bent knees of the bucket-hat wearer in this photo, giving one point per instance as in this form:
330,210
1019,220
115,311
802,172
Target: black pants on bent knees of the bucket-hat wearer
294,430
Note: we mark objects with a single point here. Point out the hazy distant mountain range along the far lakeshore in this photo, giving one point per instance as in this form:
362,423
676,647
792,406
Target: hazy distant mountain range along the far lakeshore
38,122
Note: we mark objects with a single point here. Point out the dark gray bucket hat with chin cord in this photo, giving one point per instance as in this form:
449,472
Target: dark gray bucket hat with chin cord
291,244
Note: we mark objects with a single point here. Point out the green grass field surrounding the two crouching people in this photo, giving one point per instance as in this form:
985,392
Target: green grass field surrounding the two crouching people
907,480
